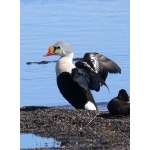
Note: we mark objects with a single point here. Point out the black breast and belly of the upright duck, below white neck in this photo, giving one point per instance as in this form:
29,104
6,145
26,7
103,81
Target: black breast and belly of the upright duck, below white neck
73,92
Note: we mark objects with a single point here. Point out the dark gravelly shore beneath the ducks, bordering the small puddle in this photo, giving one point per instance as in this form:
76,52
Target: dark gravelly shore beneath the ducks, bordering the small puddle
77,129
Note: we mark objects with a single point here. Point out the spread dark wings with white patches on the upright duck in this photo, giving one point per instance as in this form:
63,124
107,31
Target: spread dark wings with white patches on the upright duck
91,72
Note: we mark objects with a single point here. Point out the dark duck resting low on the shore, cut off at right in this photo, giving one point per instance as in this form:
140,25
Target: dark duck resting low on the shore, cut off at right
120,105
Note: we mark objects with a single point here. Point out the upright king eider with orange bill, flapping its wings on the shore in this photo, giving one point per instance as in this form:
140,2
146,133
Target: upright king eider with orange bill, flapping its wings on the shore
76,81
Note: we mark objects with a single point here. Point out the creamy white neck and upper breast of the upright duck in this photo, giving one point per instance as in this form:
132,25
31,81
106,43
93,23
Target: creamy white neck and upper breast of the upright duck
64,64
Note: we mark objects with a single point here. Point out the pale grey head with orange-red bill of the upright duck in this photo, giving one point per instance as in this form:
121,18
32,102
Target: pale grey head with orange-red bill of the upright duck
60,48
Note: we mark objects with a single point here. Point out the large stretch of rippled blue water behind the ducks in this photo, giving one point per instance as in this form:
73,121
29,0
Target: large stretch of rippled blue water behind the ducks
101,26
